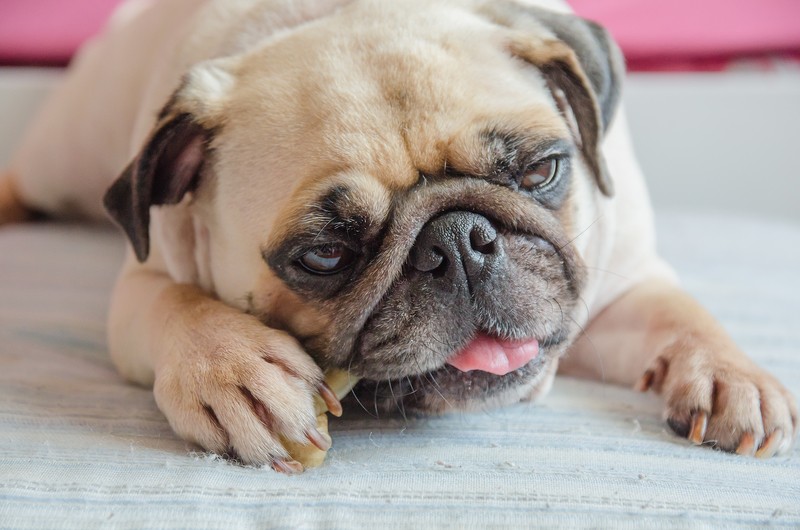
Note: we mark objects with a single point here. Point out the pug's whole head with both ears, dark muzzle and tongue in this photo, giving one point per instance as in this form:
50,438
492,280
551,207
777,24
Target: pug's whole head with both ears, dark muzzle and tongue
400,194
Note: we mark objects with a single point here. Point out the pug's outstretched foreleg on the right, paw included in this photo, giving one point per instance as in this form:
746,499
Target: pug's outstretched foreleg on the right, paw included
657,337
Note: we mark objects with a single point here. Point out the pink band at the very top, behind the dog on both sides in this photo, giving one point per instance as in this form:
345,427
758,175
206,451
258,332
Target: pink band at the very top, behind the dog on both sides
653,34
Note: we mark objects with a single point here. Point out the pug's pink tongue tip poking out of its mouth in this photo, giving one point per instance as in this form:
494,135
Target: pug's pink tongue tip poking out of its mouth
495,356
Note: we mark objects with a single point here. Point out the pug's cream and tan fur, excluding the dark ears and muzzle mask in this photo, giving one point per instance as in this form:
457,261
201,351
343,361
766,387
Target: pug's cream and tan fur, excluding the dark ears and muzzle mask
298,112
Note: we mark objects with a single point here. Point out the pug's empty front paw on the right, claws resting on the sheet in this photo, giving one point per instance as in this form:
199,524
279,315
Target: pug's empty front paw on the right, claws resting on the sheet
728,403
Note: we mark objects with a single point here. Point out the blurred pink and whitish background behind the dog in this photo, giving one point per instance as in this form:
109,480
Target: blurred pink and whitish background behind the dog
713,92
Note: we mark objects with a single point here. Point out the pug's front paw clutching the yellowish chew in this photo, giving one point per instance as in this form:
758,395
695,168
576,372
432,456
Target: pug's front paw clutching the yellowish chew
240,390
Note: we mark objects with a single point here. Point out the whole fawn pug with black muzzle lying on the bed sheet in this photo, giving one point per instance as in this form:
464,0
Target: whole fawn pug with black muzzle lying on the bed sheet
437,196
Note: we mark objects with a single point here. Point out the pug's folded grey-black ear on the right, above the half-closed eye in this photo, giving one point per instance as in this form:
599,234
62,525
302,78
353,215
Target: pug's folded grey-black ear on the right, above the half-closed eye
582,66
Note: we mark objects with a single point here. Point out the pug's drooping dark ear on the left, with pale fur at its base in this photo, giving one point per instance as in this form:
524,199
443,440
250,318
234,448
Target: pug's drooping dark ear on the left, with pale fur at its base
172,159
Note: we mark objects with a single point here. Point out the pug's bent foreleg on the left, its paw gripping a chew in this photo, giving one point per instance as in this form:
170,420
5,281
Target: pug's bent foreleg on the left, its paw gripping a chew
222,378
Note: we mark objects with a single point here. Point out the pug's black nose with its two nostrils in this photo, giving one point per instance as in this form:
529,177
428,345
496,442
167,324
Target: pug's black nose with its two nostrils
453,242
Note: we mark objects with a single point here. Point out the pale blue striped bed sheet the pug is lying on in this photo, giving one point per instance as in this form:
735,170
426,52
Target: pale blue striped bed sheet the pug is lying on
80,448
